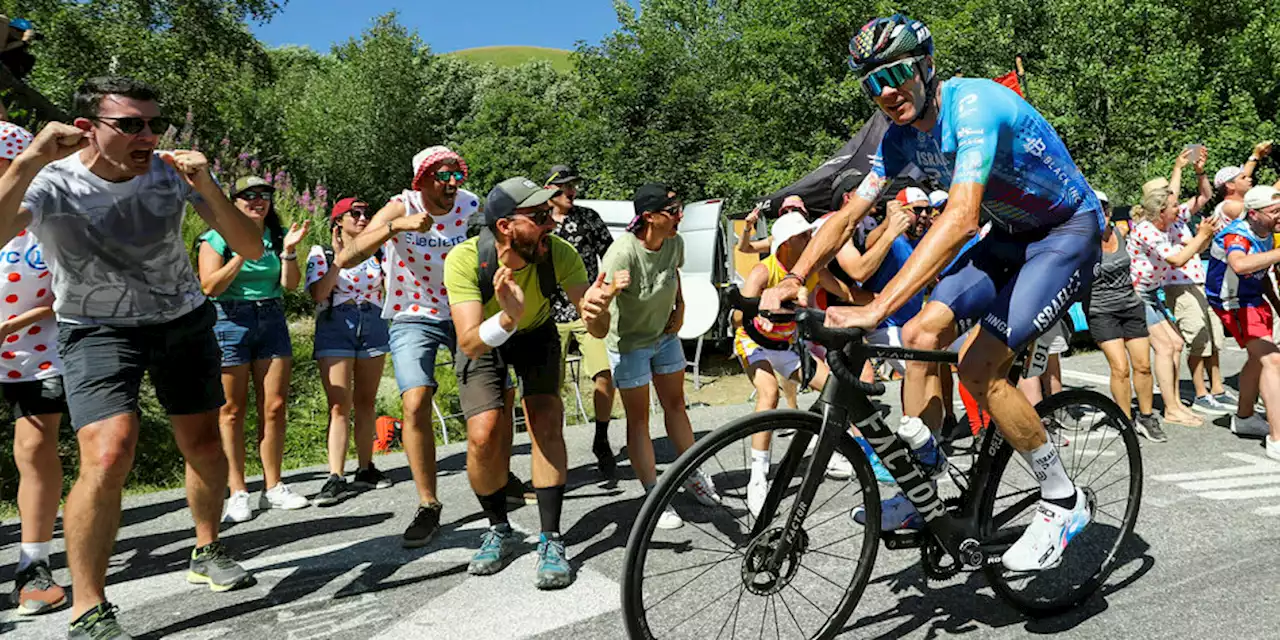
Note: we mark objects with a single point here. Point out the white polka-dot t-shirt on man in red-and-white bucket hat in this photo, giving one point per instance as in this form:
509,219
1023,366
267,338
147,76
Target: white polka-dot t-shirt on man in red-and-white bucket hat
415,262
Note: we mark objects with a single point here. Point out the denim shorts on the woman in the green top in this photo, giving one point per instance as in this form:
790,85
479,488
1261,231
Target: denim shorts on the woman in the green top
252,331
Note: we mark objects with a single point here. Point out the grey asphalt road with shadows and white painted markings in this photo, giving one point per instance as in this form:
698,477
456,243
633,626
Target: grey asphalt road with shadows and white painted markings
1201,565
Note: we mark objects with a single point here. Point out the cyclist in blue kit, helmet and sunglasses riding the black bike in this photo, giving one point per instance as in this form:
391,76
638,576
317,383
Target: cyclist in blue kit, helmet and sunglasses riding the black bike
995,153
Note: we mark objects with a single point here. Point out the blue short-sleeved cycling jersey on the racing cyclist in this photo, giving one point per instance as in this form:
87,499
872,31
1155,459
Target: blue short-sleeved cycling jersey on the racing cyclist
989,135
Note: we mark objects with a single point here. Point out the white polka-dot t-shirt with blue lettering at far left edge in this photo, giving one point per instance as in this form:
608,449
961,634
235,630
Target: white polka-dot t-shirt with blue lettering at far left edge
30,354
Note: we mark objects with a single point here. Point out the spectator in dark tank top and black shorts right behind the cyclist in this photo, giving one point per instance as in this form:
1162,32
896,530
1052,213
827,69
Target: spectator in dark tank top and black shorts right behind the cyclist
1118,324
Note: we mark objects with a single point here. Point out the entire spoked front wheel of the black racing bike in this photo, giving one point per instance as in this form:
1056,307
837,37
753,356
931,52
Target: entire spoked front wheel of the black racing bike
700,582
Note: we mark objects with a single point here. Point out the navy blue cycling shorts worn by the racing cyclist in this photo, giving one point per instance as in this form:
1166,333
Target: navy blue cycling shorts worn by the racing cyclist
1018,285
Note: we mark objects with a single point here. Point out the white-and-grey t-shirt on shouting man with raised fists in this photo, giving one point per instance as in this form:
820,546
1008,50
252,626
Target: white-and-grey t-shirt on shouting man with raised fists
116,249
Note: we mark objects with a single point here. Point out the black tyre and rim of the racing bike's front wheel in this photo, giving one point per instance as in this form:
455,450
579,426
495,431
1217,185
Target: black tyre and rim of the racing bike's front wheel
638,551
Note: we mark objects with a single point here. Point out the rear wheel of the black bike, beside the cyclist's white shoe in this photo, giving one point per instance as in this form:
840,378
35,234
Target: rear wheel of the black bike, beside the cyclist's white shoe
1104,459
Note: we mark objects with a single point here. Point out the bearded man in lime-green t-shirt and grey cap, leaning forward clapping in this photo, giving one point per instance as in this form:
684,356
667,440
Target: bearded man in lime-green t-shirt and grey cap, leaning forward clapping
513,326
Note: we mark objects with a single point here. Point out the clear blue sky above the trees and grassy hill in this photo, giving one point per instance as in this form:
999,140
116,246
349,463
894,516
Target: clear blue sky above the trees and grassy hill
449,25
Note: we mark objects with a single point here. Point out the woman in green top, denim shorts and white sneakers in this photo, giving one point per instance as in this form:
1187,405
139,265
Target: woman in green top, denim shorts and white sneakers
254,337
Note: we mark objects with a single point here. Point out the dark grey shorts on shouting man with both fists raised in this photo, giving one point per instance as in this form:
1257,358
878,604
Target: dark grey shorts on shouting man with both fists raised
103,367
